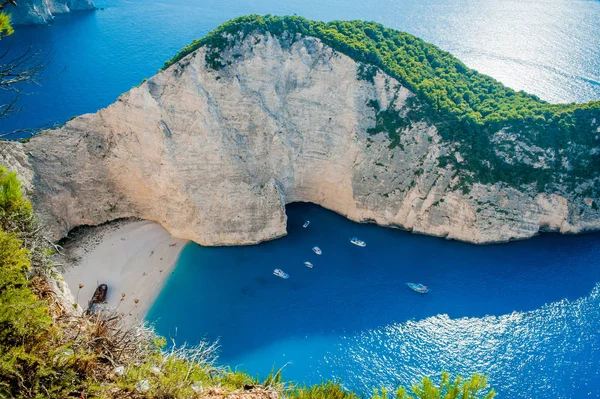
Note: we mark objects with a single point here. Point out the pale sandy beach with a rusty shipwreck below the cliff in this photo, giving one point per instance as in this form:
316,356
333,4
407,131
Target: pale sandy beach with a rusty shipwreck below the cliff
131,257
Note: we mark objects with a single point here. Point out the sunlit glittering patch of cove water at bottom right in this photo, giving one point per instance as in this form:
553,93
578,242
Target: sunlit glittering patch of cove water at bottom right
536,354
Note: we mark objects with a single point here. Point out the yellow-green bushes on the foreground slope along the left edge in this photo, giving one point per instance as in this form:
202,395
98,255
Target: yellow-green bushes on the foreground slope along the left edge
30,348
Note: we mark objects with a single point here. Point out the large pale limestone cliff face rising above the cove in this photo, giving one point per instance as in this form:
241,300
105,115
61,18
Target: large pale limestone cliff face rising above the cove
214,156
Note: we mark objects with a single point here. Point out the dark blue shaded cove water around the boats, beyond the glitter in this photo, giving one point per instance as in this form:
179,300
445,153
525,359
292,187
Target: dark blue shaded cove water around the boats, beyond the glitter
231,294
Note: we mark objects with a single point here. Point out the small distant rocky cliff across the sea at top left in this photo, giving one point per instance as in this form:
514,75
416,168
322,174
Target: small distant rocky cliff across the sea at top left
39,12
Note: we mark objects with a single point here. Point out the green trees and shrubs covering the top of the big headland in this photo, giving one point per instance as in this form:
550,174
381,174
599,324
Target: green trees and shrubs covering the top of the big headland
467,107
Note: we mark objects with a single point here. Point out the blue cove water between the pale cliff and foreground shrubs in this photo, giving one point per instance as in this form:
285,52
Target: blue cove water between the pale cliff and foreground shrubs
524,313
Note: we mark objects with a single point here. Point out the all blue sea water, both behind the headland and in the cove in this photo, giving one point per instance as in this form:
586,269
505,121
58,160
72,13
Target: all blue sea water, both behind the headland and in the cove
527,314
